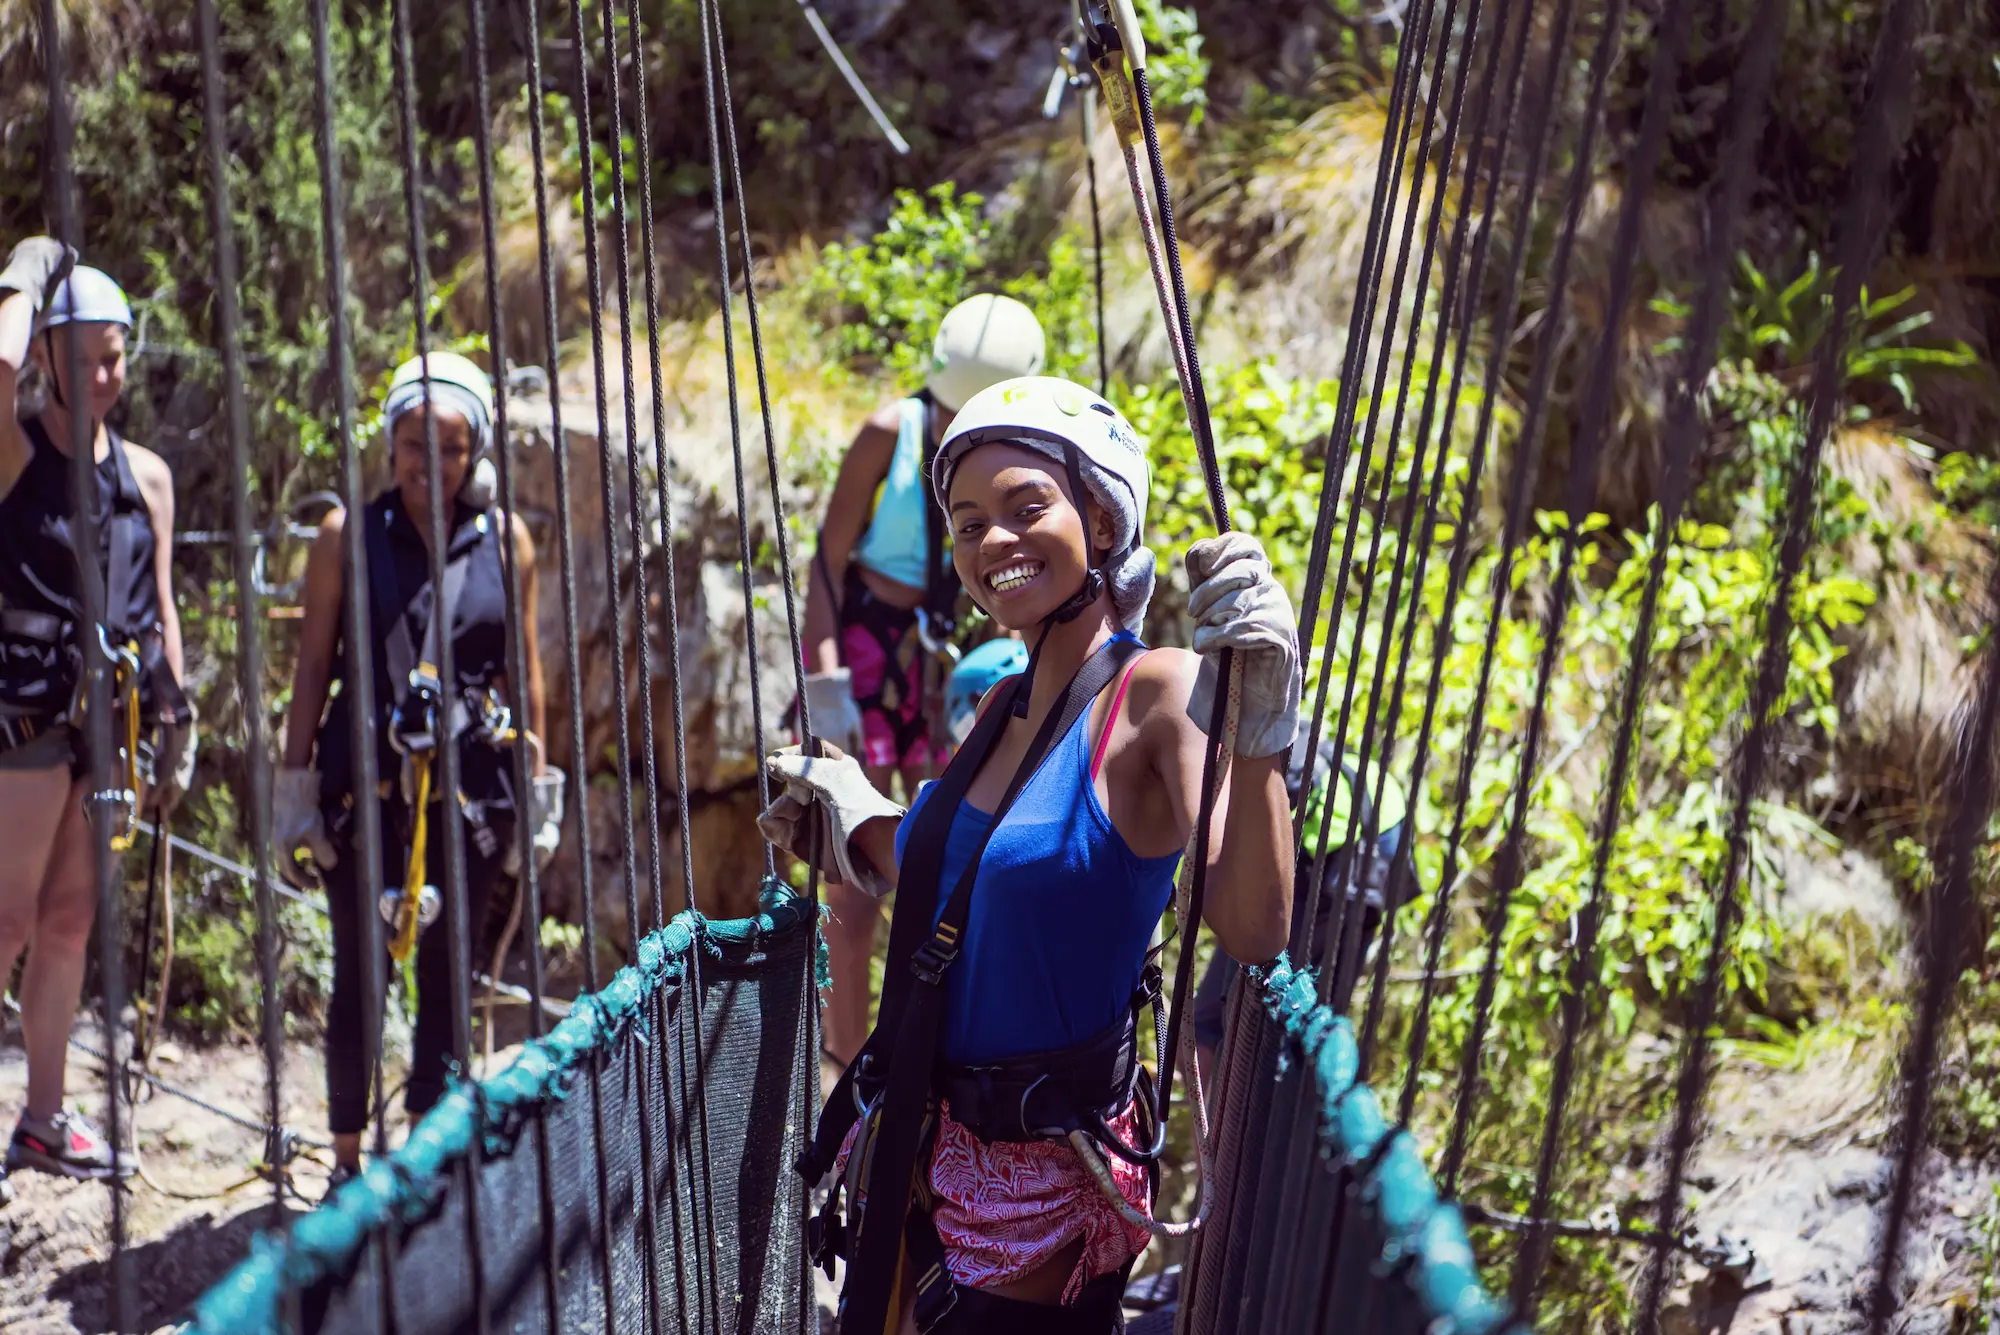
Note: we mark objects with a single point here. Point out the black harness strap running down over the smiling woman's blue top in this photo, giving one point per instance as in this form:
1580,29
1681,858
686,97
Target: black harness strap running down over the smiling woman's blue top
913,990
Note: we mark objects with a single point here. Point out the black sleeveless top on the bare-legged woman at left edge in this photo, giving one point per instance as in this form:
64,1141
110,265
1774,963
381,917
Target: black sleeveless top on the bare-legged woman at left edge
41,605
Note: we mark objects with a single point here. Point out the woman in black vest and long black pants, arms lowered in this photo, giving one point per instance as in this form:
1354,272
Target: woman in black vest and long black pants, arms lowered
315,790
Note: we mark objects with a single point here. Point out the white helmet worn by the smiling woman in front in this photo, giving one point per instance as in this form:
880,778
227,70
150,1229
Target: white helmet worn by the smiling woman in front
1101,455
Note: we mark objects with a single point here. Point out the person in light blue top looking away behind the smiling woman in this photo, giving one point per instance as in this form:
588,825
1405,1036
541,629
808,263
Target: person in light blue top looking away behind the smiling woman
881,567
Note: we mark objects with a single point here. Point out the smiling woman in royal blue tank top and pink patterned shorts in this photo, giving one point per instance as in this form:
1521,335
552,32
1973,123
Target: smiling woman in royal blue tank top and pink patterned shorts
1071,872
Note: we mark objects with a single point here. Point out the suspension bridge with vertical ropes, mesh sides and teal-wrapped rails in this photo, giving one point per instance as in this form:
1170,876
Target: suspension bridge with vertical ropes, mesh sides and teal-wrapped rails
631,1170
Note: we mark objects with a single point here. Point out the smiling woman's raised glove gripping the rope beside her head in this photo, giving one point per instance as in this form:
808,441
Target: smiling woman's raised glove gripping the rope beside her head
1239,605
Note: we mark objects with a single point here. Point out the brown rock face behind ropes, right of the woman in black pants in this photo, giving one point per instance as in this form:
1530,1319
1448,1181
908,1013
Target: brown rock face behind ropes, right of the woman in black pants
735,670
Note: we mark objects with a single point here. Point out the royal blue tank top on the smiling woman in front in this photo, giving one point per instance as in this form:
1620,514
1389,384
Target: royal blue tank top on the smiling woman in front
1063,912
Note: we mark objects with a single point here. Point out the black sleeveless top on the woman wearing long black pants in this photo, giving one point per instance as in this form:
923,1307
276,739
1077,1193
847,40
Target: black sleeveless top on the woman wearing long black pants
399,577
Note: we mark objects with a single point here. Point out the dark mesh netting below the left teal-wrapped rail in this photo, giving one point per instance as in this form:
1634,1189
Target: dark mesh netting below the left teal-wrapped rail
719,1250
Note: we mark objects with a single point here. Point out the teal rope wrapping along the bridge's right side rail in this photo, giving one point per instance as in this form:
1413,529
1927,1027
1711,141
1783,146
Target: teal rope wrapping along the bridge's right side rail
1421,1228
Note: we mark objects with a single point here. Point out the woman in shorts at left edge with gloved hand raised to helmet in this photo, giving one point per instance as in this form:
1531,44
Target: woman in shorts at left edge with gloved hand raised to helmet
47,876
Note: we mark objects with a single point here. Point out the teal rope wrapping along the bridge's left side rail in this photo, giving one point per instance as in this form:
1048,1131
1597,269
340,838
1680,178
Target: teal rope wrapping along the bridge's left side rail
403,1186
